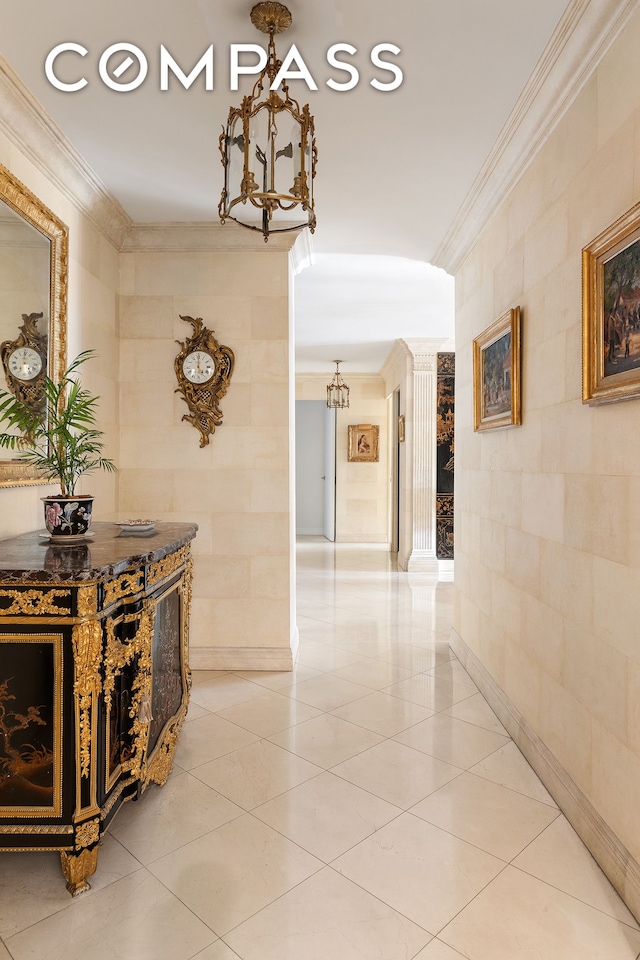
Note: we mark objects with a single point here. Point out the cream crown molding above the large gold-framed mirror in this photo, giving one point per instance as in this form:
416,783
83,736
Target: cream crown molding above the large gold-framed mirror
25,122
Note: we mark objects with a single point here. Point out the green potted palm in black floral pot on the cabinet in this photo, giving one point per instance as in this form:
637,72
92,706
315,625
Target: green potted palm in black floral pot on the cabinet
62,444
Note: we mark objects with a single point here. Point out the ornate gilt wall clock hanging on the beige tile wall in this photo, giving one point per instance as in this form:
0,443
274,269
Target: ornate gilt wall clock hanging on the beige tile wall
203,368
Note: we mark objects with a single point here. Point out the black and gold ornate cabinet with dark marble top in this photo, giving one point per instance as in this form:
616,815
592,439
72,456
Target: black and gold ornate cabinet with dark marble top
94,683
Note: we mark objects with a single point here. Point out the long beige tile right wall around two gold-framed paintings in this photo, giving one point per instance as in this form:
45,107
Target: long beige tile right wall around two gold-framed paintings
548,514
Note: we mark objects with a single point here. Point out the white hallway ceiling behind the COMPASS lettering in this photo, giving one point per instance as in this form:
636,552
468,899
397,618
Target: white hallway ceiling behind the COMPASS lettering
393,168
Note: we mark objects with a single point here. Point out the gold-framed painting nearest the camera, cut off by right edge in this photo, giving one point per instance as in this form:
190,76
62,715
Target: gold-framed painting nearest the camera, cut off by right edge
611,312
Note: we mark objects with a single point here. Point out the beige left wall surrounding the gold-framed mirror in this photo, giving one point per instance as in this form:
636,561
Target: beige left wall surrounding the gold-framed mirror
93,285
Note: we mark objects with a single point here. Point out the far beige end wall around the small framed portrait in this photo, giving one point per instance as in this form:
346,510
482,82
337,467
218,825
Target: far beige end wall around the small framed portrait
362,489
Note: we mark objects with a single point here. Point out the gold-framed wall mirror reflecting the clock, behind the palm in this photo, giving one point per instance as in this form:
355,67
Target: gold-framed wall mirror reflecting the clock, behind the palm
33,301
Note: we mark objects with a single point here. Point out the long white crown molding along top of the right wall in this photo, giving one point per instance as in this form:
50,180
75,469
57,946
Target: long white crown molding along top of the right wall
582,38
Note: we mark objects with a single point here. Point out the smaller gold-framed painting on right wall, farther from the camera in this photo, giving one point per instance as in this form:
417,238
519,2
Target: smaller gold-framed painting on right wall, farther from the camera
496,374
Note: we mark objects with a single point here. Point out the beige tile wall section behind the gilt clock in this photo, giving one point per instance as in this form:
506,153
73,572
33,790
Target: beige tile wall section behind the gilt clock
237,488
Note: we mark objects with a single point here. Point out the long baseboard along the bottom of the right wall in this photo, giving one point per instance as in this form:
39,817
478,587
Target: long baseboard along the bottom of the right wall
605,847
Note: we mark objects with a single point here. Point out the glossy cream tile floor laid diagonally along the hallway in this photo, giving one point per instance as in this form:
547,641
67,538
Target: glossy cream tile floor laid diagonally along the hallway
368,806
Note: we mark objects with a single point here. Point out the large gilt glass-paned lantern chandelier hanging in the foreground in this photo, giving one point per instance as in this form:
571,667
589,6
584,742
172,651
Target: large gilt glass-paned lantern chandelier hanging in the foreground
268,148
